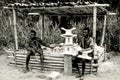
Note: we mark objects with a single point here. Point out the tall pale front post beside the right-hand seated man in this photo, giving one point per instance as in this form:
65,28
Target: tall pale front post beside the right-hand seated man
94,30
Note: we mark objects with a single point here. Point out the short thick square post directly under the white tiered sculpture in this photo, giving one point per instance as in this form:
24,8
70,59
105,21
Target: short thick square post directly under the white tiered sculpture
68,65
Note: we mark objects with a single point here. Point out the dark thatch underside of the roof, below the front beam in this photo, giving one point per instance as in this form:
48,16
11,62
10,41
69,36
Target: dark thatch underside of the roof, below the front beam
72,10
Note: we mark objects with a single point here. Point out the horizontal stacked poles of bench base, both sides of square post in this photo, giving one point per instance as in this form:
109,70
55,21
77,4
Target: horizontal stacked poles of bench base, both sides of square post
52,62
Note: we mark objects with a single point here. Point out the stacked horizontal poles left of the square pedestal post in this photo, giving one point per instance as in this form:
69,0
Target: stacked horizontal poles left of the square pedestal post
51,61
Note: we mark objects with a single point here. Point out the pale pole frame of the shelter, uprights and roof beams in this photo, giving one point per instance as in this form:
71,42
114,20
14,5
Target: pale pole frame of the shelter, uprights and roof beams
94,8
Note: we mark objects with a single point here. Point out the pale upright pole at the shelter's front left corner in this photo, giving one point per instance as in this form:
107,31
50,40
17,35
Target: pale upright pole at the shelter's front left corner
15,29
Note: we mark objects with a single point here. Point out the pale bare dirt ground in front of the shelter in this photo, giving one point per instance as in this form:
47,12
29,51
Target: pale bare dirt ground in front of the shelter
109,70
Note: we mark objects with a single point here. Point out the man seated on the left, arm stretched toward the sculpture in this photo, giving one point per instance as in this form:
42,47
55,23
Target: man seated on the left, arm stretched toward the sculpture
33,46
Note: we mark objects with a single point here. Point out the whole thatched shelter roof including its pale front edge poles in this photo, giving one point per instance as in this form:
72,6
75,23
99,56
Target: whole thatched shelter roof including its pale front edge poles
62,10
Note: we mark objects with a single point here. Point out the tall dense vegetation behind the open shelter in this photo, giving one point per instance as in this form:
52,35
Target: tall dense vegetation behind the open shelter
52,30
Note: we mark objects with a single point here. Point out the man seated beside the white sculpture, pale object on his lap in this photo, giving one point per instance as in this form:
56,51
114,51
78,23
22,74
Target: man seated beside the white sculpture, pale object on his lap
87,48
